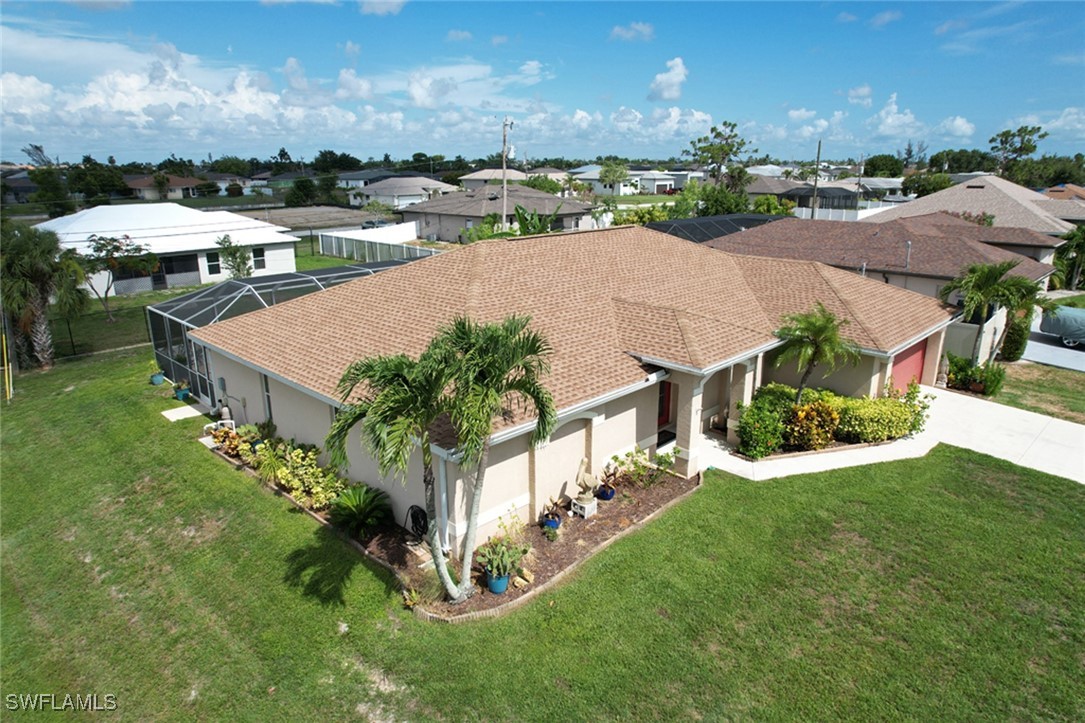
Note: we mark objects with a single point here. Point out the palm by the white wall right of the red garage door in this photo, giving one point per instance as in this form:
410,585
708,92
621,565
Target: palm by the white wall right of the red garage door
986,287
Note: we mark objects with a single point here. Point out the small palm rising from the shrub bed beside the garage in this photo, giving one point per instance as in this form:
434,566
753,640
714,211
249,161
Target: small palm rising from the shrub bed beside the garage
812,339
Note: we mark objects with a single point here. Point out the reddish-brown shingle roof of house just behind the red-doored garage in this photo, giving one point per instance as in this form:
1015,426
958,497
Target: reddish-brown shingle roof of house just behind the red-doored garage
883,248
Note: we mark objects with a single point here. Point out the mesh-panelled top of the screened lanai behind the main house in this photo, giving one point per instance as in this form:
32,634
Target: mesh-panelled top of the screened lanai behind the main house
237,297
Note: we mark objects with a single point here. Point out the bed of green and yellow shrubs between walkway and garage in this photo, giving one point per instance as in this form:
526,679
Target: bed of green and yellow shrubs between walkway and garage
773,423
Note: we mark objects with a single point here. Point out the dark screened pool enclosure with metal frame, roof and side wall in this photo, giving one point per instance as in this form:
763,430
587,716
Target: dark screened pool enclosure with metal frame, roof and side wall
171,322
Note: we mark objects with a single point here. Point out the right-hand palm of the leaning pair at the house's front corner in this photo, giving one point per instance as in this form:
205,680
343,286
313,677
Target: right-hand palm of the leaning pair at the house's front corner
497,365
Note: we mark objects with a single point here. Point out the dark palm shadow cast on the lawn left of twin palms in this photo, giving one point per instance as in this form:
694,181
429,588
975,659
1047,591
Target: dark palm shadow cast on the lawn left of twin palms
324,569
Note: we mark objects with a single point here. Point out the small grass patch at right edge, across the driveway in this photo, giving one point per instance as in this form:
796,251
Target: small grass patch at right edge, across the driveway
1049,390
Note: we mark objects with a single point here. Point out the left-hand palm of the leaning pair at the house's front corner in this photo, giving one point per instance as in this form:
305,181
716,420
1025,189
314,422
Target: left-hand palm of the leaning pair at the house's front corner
403,398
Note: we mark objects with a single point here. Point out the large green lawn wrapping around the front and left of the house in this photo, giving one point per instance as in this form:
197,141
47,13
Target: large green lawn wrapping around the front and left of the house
135,563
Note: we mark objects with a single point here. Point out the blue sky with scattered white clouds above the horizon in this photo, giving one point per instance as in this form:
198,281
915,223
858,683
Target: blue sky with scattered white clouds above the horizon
143,80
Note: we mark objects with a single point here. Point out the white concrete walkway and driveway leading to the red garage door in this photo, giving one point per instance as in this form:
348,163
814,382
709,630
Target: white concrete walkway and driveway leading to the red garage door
1024,438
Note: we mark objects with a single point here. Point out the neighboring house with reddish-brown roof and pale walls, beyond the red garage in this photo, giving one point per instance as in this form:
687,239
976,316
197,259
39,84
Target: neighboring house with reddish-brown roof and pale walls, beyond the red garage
922,256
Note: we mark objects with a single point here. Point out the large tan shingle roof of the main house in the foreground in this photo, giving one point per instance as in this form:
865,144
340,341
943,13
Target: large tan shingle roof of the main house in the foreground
603,299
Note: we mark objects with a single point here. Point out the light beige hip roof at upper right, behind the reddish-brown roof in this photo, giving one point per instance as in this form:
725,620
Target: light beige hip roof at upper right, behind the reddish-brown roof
1011,205
